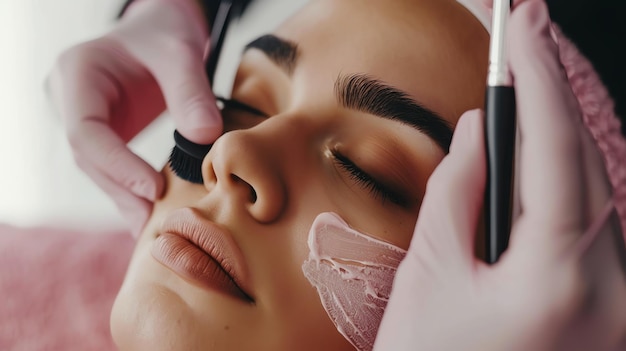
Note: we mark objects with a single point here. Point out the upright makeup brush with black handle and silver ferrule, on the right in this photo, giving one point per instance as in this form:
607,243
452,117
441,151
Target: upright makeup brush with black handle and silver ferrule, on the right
499,137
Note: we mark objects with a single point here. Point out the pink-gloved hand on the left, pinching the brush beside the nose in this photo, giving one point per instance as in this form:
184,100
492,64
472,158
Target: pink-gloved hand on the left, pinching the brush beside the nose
108,89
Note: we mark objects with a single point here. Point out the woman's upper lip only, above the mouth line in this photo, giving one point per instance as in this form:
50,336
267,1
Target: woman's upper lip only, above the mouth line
212,239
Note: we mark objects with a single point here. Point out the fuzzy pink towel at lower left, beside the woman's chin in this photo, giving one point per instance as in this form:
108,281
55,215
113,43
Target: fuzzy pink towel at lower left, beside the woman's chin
57,288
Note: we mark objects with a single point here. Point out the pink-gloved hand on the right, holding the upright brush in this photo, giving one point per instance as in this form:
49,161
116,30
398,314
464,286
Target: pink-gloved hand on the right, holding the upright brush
557,287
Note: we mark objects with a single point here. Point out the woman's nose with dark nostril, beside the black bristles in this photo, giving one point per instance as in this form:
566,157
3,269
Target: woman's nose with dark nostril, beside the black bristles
252,165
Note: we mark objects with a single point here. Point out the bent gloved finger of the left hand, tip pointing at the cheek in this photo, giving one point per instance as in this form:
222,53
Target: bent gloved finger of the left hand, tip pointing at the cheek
84,96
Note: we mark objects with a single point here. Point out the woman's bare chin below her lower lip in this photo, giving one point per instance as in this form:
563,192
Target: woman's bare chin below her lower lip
157,310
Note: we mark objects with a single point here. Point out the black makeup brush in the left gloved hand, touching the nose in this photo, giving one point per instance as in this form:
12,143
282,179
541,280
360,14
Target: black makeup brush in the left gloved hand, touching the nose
186,156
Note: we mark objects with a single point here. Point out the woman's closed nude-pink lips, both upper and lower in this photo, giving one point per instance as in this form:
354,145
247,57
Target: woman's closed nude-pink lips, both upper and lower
200,251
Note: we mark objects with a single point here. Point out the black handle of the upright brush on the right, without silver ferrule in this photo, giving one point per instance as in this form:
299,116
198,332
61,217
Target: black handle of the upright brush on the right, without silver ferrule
500,142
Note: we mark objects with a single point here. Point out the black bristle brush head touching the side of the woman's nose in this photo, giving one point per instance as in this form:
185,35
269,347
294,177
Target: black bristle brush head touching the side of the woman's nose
186,159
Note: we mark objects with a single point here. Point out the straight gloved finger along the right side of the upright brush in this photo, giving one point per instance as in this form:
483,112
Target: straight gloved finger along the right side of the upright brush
551,184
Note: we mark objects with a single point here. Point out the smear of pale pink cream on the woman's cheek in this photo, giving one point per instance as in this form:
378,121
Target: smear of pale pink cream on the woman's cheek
353,274
